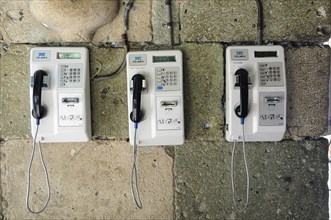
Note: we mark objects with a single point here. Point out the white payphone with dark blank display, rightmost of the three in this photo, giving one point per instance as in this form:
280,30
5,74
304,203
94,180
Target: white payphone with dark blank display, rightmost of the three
255,93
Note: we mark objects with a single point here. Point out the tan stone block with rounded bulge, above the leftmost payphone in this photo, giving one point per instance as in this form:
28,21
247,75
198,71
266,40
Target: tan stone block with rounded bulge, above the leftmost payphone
19,25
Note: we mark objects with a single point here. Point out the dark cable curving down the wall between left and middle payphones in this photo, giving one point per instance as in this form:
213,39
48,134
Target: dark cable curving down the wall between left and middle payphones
124,36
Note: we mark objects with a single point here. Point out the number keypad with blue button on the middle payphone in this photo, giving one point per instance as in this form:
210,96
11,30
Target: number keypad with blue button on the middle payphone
167,79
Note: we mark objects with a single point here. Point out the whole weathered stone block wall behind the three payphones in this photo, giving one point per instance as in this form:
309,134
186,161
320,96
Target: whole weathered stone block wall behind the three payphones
91,180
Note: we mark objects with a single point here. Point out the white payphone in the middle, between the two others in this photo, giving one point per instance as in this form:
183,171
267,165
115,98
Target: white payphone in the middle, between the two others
155,97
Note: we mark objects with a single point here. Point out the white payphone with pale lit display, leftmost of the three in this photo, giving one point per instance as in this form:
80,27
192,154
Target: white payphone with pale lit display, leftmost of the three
60,94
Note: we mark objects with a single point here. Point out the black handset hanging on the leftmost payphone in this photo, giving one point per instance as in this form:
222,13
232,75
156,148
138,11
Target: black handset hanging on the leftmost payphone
38,110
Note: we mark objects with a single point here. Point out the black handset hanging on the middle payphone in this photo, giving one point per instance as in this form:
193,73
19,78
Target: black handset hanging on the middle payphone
136,115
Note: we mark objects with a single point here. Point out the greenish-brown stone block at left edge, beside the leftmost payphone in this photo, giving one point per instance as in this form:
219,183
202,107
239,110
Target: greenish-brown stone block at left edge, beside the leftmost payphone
14,91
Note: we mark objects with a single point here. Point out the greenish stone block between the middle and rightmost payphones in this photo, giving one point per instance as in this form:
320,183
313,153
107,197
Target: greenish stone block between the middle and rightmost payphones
204,88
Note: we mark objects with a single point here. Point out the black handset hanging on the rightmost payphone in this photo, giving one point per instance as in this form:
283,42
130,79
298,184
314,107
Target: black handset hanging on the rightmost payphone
242,110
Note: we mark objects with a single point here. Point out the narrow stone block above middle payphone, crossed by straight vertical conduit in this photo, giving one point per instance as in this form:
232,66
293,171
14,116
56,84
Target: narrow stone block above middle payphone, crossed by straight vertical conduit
159,20
